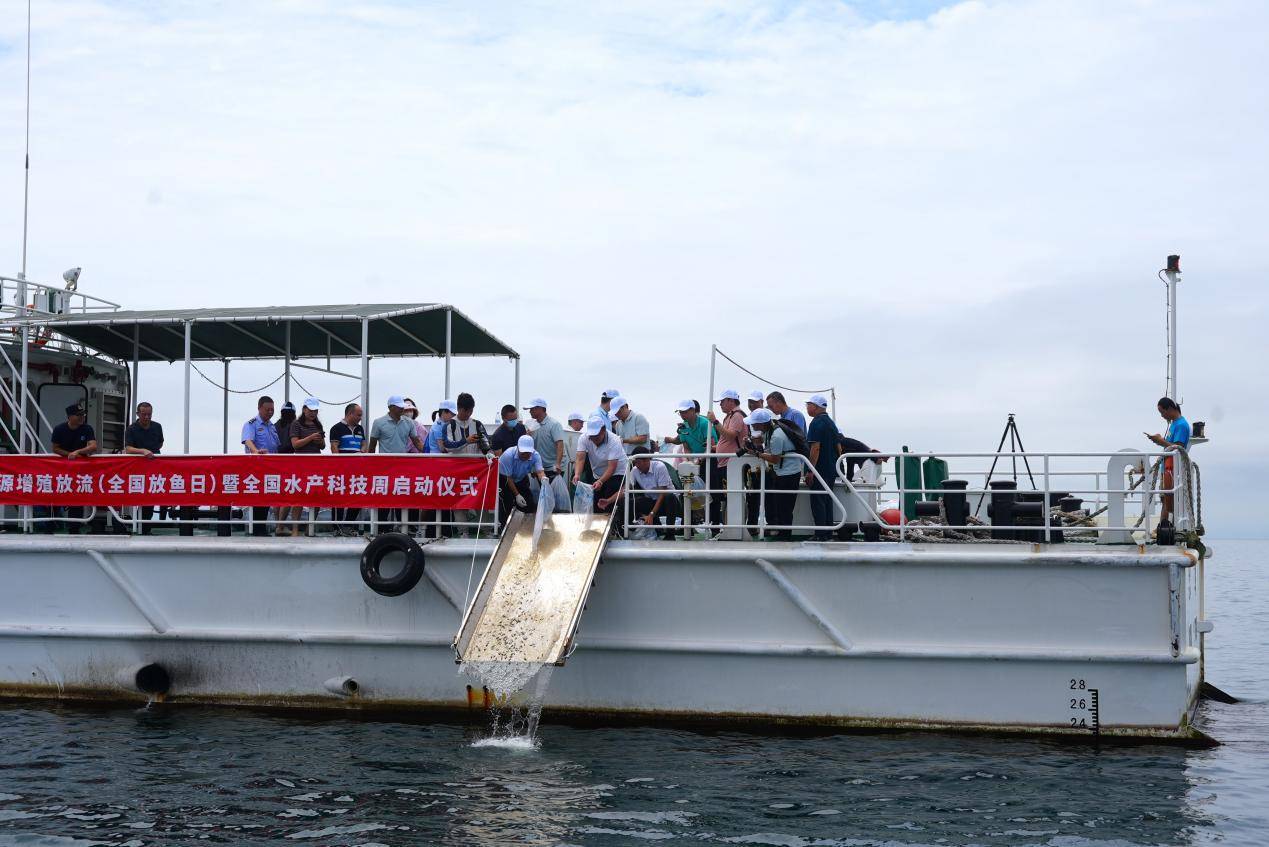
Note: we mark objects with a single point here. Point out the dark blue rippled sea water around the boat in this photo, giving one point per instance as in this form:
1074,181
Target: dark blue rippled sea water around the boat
196,777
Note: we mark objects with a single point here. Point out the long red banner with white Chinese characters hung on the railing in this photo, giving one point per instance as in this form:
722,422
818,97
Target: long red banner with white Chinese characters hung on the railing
379,481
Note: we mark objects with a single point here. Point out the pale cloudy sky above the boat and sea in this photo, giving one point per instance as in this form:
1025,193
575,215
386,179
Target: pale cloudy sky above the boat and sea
949,211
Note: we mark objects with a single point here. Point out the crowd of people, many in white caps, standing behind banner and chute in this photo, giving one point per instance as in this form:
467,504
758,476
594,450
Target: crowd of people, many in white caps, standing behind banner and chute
615,448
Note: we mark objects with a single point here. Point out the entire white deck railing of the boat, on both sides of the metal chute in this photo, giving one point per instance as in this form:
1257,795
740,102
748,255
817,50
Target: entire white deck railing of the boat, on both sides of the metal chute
1119,509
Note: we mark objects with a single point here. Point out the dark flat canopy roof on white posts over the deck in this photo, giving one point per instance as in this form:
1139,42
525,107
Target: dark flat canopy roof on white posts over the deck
261,333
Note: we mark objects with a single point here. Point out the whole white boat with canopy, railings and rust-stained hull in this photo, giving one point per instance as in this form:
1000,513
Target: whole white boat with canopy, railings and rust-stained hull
1084,630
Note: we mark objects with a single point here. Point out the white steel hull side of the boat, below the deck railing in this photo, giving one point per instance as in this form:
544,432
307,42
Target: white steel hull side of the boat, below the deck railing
1001,638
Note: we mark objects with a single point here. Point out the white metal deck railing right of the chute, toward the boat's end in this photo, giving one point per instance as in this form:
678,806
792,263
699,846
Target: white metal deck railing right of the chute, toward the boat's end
1068,500
